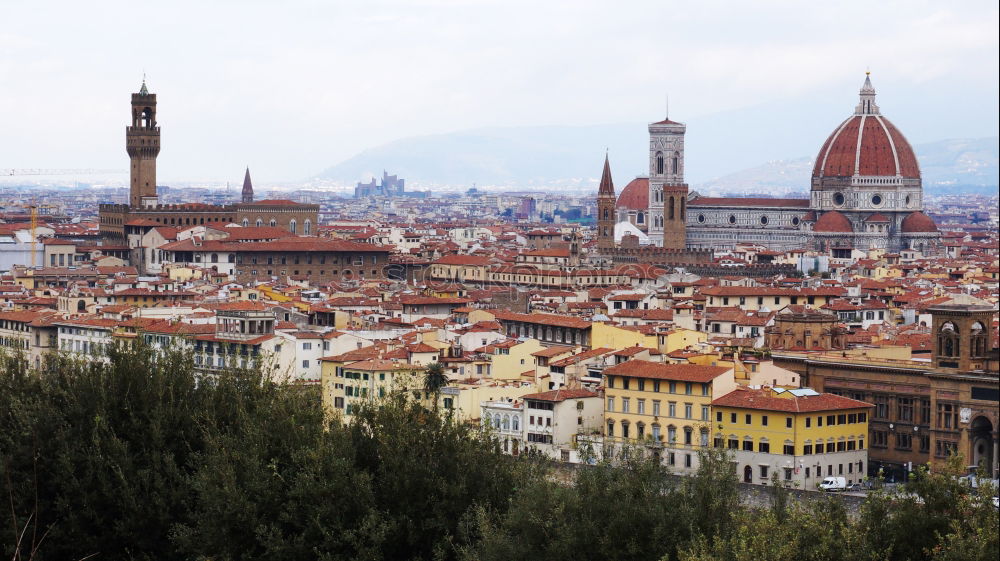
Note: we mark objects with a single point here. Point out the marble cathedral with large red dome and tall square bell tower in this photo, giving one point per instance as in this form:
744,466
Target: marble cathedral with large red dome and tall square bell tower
865,193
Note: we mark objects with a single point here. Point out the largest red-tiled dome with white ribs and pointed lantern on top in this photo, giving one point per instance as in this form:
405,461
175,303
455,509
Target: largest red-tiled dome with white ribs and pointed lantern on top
866,144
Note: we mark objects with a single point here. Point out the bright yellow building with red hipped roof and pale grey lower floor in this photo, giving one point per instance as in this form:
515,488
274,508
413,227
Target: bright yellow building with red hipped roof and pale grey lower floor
802,435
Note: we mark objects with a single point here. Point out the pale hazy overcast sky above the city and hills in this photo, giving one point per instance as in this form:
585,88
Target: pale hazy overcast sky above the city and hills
291,87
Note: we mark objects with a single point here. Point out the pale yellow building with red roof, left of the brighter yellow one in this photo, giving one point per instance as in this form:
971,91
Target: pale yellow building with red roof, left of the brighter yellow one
667,406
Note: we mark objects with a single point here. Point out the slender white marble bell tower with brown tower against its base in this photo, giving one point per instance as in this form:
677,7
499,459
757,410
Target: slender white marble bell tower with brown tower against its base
667,190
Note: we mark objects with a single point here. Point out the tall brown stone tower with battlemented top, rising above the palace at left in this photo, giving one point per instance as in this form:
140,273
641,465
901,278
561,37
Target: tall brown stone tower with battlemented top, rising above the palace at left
142,142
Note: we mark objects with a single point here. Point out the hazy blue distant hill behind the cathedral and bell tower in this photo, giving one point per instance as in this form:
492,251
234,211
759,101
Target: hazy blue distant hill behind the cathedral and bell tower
717,160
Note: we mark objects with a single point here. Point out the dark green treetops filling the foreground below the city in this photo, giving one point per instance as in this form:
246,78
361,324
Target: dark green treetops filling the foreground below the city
136,457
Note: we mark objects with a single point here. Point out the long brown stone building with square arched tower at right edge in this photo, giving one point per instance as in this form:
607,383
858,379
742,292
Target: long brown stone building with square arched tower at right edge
923,411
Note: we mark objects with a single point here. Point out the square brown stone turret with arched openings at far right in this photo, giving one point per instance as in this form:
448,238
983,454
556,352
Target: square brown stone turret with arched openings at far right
962,330
